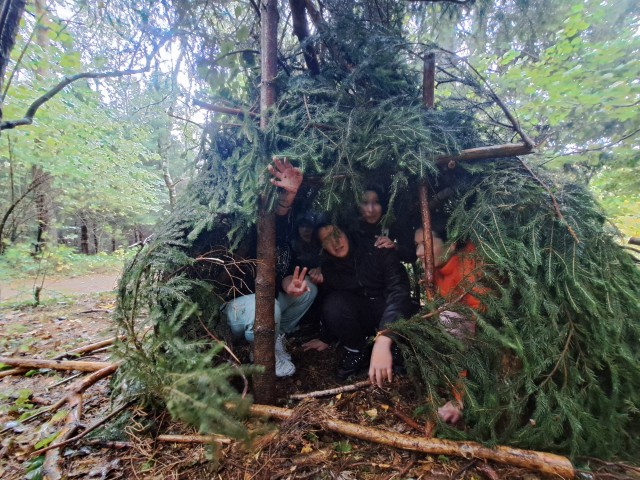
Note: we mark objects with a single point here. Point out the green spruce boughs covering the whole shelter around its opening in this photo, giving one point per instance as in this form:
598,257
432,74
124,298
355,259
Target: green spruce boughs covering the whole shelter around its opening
554,364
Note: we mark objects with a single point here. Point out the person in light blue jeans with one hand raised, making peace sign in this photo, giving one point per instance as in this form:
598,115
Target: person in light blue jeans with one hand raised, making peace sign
295,294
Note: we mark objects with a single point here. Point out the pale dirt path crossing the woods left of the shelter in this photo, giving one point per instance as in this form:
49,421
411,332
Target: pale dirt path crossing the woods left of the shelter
56,287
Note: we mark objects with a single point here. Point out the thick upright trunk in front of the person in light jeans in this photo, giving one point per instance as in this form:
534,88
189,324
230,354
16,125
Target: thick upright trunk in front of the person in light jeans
264,327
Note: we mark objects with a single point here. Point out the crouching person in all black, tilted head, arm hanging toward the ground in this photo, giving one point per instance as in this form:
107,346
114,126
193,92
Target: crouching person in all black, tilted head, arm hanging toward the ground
367,291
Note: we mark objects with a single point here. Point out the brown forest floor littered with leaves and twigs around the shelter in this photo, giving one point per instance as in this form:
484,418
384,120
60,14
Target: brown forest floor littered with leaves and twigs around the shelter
128,447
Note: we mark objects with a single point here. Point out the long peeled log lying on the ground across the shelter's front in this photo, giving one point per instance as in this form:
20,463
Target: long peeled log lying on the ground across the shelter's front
546,463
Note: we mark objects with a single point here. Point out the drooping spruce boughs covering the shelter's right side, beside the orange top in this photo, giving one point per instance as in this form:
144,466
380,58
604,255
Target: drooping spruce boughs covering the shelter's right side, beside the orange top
562,313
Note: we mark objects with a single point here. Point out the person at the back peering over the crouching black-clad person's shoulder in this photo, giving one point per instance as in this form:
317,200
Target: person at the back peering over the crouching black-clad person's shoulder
370,227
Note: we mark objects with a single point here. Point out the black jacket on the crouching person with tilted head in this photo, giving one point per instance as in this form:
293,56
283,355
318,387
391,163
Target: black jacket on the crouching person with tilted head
370,273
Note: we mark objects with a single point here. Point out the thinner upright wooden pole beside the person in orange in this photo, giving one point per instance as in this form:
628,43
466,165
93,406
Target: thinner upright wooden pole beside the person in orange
428,98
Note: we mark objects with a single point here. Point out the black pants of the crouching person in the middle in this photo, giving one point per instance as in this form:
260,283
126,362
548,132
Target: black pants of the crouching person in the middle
352,318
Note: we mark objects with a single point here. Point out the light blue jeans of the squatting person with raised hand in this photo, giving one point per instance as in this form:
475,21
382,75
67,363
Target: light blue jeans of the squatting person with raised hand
241,312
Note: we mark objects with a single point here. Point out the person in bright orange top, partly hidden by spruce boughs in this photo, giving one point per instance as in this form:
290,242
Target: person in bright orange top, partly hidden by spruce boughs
456,276
